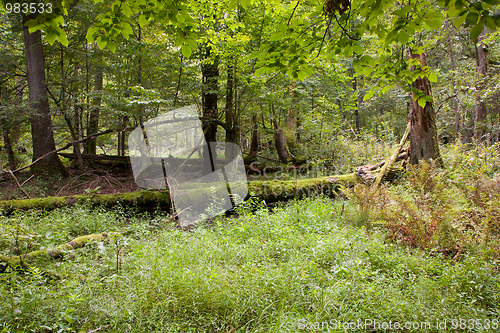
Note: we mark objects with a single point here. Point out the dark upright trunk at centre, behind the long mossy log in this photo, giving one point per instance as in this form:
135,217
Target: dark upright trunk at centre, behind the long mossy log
210,72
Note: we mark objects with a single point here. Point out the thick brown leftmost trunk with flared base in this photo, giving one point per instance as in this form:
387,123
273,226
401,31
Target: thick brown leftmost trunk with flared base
41,122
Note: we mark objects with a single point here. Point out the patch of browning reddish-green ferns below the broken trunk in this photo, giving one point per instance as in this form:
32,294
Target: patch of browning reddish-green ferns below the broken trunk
446,210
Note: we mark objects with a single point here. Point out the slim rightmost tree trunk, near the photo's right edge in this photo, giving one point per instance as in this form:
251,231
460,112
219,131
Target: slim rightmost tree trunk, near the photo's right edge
480,109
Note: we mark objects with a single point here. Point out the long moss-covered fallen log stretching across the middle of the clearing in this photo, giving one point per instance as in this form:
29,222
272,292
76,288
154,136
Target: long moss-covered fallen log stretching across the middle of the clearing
270,191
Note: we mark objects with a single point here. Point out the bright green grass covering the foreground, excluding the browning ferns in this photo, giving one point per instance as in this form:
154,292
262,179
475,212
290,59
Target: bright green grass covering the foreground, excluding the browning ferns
282,271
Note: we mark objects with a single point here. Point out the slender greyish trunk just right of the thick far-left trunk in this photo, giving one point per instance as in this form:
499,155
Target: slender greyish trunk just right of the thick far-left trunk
93,125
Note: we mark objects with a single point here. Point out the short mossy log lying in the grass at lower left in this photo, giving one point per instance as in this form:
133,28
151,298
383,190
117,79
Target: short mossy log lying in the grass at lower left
23,260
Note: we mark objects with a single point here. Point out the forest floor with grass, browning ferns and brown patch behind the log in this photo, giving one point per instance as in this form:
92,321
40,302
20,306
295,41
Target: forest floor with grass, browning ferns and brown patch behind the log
423,251
